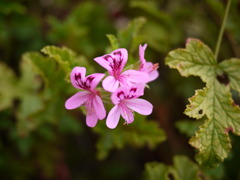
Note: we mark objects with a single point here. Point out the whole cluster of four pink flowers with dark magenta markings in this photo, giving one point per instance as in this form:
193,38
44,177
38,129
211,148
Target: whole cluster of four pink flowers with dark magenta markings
125,87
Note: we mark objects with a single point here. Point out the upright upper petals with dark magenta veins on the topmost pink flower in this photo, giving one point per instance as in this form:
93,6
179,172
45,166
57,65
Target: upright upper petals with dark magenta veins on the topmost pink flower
113,62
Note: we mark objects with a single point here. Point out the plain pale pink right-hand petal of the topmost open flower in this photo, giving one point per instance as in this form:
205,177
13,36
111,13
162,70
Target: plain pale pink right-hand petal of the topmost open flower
132,76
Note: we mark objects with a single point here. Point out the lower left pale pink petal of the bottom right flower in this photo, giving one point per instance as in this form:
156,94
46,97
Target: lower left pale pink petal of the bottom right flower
113,117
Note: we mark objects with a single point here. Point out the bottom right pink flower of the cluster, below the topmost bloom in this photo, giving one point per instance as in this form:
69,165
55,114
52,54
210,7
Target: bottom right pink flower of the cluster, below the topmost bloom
126,101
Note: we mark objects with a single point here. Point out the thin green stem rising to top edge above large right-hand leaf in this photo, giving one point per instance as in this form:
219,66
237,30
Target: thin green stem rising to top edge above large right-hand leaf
222,29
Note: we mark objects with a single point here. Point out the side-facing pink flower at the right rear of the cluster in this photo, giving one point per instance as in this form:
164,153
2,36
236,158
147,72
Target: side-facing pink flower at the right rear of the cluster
147,67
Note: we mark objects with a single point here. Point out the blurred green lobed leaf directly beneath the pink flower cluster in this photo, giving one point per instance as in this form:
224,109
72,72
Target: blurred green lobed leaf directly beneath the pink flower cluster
137,135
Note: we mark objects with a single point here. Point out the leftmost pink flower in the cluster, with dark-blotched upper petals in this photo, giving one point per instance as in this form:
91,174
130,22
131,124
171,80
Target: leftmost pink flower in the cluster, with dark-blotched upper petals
89,97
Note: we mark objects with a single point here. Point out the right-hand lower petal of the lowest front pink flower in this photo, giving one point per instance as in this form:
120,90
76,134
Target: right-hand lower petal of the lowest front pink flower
141,106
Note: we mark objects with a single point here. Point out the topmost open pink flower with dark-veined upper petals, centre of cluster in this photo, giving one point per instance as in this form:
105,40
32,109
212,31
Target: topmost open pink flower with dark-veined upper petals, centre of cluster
114,63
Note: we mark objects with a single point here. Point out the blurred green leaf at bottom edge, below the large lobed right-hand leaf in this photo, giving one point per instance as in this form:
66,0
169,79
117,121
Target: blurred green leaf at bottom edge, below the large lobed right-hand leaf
182,168
